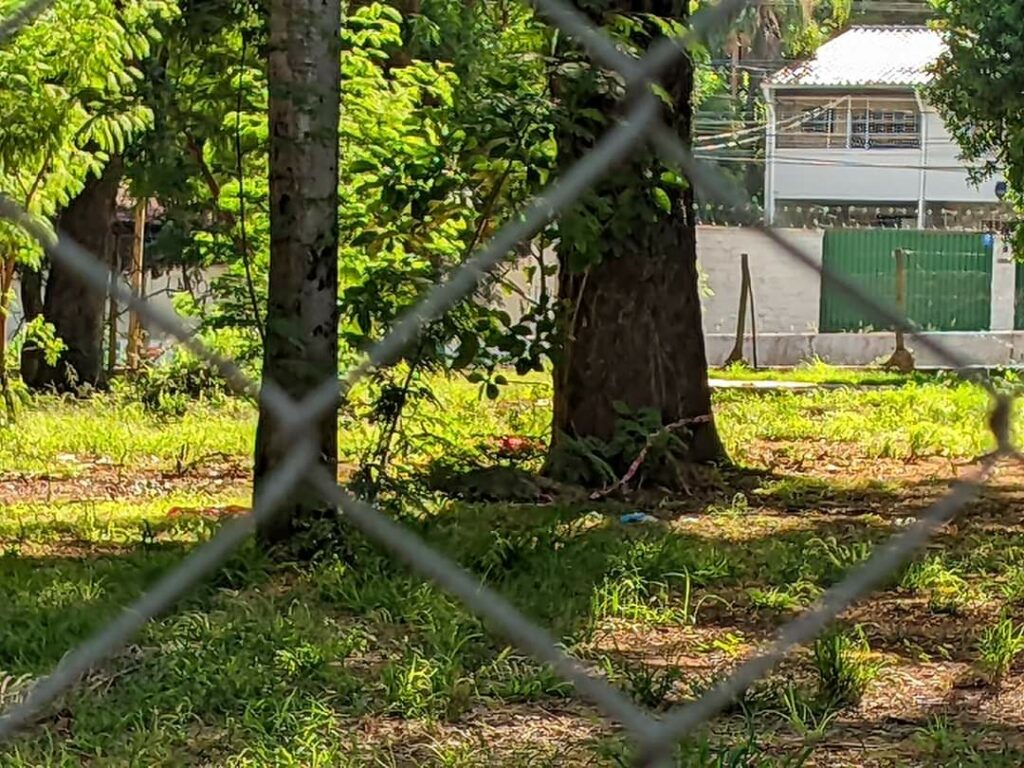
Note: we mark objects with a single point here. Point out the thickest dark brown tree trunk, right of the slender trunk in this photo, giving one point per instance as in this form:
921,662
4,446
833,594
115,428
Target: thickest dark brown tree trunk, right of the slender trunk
631,319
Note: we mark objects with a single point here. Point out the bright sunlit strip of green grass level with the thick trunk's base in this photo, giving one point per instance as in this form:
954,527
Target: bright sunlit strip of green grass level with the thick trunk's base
926,416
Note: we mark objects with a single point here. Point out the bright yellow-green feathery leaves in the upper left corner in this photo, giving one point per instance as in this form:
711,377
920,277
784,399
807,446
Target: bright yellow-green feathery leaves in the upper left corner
69,105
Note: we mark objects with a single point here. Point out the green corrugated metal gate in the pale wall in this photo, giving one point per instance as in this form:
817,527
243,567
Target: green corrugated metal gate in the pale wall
949,279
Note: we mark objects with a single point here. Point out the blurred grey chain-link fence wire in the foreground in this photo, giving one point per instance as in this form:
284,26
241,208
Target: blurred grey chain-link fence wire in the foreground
656,738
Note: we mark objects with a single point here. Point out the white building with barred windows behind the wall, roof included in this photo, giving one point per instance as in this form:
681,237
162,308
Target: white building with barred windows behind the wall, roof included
851,140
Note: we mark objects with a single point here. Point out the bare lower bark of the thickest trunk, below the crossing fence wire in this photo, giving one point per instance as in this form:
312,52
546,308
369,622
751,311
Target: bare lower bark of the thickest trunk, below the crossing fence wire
636,339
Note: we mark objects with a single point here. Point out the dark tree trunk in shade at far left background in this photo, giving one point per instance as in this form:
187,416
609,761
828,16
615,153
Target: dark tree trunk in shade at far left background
75,310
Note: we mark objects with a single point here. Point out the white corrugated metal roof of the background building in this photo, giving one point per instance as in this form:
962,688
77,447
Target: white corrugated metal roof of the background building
868,56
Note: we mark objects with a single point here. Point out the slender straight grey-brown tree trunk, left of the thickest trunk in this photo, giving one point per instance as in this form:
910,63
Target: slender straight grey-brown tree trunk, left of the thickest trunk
302,350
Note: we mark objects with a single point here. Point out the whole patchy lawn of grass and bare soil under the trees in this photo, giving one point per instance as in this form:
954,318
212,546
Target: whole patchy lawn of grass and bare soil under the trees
354,661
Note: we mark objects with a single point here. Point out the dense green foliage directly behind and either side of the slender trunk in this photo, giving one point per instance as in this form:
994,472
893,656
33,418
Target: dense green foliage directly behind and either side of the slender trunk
436,149
